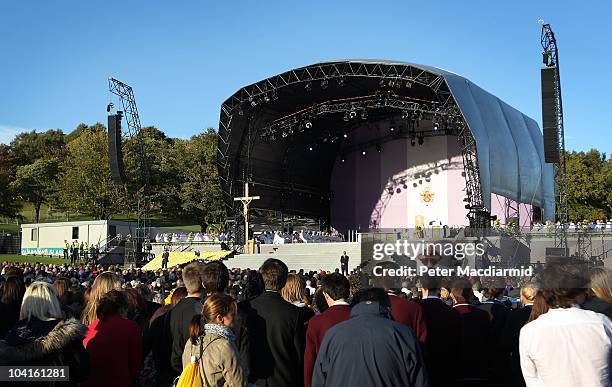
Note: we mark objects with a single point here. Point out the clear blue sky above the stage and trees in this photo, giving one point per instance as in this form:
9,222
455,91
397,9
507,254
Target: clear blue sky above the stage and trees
185,58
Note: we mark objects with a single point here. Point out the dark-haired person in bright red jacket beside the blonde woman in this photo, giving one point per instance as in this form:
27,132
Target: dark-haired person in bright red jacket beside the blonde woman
113,343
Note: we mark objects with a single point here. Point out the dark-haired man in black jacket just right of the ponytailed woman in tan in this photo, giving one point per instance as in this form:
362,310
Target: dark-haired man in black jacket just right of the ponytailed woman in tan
276,331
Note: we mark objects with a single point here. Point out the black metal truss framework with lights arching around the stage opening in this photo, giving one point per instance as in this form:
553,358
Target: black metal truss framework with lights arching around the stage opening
252,100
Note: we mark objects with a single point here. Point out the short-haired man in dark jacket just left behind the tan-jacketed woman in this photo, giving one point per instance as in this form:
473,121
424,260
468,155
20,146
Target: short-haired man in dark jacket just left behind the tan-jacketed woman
184,311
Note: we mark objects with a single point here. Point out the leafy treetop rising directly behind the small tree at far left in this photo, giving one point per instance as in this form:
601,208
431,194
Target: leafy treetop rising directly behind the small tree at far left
31,146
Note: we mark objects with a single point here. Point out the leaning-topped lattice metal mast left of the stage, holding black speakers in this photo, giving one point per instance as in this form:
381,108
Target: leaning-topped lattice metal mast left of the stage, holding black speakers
126,95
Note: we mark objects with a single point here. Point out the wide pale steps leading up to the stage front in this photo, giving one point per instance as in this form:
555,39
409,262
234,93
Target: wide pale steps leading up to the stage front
307,256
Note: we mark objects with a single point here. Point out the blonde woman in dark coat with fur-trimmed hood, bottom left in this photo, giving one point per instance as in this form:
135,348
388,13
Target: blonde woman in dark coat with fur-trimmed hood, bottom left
42,337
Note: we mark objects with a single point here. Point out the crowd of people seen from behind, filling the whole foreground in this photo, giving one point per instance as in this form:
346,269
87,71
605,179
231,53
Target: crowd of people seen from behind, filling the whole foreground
271,327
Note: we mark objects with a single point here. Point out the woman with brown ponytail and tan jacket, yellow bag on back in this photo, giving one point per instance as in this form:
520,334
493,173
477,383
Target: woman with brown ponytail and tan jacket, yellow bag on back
214,347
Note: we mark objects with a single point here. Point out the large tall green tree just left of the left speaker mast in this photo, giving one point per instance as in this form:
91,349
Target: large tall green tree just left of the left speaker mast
85,184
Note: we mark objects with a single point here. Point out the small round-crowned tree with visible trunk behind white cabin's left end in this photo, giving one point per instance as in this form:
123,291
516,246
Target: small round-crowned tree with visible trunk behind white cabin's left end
35,182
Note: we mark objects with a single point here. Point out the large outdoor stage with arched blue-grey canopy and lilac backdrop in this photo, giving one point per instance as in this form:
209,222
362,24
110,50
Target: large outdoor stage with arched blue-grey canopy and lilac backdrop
363,145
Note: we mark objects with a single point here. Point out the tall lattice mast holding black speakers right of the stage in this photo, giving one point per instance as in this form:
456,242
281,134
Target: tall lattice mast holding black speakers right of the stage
551,60
